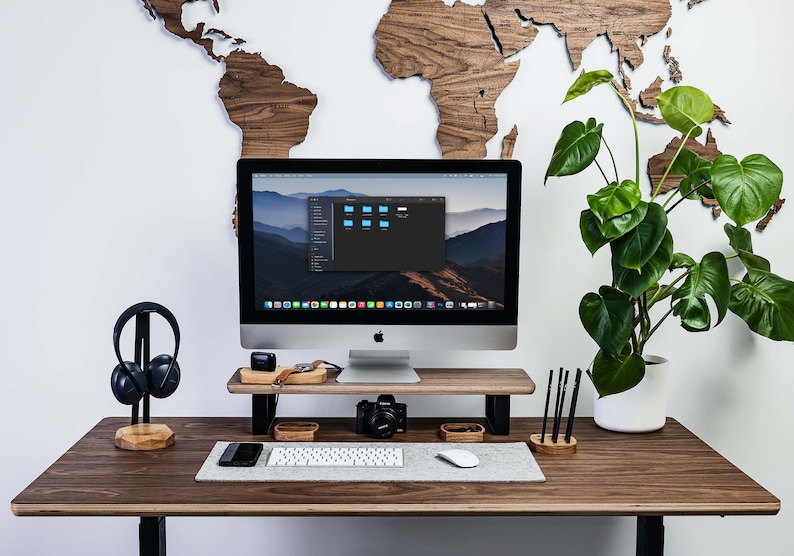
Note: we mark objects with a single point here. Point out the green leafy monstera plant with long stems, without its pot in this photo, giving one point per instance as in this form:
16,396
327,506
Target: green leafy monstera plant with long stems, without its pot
623,315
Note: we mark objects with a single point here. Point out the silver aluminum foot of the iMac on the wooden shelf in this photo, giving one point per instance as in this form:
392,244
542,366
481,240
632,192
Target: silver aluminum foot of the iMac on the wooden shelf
378,366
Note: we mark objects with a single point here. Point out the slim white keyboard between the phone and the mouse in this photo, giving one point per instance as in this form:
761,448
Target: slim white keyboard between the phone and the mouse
336,456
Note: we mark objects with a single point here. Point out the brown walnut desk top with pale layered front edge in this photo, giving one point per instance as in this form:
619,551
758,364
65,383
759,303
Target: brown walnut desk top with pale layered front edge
670,472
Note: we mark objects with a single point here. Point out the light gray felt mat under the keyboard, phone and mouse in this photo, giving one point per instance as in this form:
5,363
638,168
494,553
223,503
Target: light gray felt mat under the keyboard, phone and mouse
499,462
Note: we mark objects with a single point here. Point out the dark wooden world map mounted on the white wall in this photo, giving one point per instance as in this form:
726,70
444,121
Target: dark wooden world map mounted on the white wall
462,50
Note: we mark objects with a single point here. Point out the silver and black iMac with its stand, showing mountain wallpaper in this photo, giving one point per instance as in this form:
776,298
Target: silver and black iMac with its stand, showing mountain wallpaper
379,257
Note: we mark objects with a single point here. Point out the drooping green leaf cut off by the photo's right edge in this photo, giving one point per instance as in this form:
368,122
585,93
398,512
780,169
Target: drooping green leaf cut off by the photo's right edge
765,302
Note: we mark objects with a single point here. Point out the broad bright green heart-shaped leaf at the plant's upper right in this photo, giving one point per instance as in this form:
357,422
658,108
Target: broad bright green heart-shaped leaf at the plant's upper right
745,190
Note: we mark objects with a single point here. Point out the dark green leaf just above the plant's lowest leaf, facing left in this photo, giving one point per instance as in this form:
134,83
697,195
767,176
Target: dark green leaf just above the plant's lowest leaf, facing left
607,317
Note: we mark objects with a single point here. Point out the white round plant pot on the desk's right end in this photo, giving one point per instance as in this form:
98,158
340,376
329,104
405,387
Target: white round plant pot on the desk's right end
641,409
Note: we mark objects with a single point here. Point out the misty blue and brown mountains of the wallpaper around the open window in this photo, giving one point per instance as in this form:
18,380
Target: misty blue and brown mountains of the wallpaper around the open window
474,269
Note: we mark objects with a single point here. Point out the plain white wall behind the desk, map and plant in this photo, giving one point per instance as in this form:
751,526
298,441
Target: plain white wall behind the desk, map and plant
117,172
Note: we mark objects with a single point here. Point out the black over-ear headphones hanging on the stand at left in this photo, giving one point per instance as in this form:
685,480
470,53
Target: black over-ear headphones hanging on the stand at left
161,376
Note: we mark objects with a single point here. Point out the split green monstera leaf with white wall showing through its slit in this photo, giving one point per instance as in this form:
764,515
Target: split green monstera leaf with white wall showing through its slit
711,278
